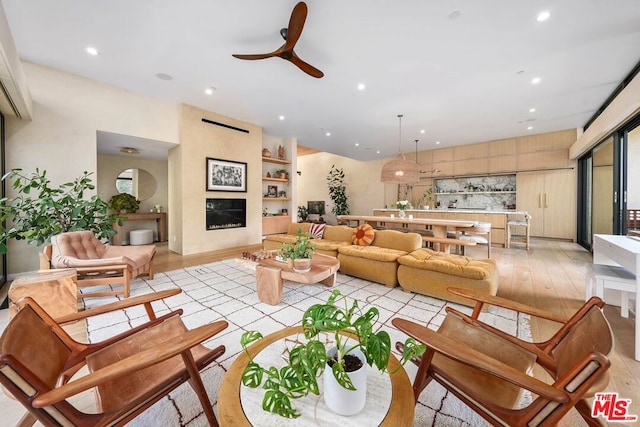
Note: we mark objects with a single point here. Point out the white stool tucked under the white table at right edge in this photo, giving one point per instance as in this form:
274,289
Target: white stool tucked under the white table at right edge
600,277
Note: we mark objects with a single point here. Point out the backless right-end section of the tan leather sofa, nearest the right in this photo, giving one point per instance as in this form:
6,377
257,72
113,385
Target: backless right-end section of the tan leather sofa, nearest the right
430,273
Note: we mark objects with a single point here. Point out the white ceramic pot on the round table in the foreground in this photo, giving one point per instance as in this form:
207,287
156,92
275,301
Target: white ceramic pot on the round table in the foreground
339,399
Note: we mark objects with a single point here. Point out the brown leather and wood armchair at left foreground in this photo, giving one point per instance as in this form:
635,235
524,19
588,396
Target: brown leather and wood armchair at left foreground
130,371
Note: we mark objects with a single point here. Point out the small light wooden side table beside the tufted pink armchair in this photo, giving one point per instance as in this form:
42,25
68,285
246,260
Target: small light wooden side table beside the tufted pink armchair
56,291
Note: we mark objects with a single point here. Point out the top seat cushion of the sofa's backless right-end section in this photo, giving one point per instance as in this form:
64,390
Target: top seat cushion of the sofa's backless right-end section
455,265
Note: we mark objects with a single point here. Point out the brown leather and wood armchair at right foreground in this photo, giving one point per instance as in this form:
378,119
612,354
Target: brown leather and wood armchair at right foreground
490,370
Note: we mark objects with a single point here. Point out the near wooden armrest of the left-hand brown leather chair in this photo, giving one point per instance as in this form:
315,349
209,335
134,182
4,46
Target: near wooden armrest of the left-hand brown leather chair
144,359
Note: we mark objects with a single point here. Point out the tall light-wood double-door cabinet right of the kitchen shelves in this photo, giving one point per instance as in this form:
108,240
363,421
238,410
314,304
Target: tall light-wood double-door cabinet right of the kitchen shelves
550,198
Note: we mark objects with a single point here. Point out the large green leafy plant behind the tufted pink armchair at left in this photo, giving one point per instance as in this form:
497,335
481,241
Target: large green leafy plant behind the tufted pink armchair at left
39,211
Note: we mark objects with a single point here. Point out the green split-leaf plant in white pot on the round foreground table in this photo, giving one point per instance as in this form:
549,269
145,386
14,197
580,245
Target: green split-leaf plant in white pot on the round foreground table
308,360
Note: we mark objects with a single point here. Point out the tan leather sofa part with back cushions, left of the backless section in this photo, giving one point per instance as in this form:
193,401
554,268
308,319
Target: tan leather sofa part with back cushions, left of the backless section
377,262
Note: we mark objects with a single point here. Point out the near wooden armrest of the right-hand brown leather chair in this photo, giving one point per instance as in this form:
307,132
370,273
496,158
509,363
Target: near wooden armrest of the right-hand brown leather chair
462,353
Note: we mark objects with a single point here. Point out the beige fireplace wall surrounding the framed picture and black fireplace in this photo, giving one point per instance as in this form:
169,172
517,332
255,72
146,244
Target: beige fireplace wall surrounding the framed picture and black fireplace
198,141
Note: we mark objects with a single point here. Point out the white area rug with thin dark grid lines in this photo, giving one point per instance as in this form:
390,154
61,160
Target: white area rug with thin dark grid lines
226,290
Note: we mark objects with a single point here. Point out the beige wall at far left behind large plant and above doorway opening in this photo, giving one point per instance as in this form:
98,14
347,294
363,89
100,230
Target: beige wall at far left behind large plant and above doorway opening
61,138
